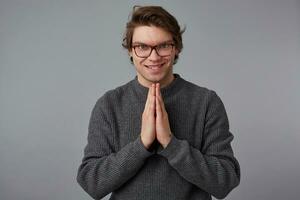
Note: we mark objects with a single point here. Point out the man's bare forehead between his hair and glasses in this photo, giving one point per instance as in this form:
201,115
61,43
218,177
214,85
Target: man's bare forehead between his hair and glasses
150,35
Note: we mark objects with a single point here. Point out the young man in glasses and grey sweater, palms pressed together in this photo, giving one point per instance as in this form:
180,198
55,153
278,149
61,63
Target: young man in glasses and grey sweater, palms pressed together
158,136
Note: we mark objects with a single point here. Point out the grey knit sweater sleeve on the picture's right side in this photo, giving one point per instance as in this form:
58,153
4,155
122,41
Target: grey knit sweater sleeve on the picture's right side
213,168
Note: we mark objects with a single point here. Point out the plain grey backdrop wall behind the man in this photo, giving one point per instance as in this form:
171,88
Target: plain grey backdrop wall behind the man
58,57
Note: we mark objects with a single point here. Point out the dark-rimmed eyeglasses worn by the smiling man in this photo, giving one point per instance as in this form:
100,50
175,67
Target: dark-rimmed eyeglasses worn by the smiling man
144,50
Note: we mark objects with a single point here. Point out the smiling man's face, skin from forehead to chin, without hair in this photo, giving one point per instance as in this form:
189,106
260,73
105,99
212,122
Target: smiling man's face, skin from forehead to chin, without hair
154,68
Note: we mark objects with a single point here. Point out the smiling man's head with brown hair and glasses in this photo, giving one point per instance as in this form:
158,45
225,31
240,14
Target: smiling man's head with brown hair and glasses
153,40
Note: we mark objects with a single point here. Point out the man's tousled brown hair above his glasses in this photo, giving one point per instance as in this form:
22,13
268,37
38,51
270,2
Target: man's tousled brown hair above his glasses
156,16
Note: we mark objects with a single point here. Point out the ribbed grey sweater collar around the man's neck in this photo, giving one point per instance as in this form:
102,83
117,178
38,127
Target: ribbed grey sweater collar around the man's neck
166,91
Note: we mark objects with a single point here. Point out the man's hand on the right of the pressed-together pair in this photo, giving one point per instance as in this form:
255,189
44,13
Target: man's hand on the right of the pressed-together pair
163,131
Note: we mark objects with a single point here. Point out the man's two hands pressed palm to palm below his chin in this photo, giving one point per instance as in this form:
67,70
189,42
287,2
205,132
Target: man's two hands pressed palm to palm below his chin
155,122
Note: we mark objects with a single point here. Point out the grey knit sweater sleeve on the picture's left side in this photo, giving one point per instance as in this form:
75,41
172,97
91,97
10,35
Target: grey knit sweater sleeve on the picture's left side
104,170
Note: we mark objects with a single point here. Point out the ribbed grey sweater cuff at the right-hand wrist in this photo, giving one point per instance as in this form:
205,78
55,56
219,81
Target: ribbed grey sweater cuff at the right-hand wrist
171,150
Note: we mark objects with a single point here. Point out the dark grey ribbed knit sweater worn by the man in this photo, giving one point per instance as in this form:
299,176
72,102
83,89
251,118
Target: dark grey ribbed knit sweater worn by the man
197,163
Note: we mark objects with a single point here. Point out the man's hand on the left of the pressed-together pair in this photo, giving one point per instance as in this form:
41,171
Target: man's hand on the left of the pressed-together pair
148,119
